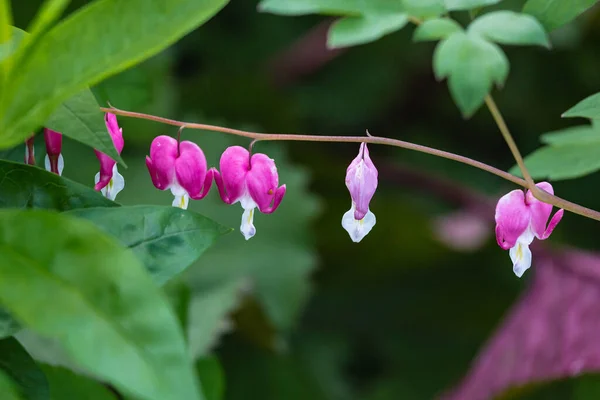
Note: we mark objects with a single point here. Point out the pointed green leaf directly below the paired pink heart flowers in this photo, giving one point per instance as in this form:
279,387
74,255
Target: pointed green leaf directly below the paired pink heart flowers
166,239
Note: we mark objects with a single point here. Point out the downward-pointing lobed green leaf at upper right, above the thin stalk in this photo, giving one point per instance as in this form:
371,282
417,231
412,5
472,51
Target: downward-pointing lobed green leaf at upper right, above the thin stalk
472,65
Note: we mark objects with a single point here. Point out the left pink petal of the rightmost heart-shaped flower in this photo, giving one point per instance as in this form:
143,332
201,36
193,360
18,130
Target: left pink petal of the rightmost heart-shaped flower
512,218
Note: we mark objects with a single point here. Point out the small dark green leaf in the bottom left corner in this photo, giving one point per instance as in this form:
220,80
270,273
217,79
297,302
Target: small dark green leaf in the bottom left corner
25,373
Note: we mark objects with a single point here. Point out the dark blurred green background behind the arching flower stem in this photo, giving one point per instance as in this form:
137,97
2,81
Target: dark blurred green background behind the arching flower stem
301,312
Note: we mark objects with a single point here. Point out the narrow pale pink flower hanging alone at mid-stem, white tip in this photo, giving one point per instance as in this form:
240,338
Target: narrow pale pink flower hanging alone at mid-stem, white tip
361,181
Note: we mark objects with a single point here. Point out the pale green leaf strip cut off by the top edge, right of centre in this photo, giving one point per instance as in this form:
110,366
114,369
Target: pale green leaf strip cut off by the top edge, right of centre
335,7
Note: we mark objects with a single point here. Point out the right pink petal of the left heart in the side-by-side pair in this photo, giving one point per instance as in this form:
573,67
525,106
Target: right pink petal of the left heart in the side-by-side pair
190,169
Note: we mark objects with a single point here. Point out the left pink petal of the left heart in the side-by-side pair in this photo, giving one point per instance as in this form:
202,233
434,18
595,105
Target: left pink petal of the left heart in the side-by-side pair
161,163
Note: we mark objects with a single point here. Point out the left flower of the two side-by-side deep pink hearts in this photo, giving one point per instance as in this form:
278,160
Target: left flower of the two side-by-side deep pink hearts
181,168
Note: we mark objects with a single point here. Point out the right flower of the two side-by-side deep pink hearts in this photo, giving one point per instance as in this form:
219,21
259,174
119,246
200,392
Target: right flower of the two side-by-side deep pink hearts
251,180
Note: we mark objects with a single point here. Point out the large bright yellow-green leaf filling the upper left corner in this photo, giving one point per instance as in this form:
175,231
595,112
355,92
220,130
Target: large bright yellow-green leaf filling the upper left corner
103,38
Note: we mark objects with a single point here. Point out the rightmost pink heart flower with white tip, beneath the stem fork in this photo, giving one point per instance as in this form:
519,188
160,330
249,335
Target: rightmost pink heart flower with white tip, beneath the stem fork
520,218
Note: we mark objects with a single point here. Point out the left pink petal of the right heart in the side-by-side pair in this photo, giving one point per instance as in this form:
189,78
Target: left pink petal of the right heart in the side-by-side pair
234,164
